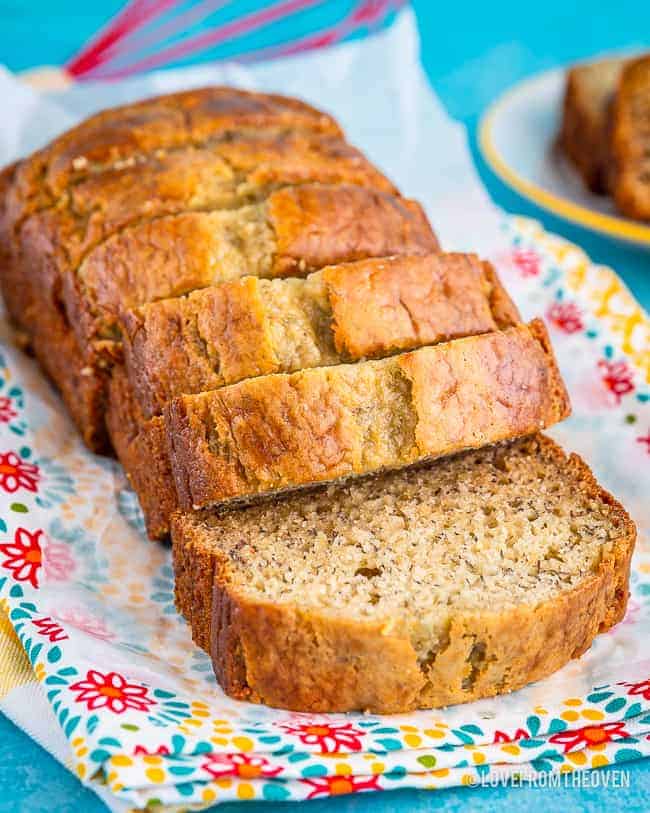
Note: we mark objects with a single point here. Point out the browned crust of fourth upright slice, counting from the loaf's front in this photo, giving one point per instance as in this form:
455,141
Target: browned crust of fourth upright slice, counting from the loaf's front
220,176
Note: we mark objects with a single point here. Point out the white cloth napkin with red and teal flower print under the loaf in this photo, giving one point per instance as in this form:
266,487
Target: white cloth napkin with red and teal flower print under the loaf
91,602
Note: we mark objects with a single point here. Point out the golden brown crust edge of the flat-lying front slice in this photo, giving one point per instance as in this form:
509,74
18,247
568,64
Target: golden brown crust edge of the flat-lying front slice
289,657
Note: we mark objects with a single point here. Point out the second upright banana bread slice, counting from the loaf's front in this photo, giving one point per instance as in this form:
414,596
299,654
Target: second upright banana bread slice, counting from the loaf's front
251,327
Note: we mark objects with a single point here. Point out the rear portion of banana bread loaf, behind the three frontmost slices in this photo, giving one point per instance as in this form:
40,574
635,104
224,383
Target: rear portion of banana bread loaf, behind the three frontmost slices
124,170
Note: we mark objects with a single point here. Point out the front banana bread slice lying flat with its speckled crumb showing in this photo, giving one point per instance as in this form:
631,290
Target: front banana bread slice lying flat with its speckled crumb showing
415,589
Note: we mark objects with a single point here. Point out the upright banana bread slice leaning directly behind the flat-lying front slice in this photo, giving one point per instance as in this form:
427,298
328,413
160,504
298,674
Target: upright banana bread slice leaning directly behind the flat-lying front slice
278,432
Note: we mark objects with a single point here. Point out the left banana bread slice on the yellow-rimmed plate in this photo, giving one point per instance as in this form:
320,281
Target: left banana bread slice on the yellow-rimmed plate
584,135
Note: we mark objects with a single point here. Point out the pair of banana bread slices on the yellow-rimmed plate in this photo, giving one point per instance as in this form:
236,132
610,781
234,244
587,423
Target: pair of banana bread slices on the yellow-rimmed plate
606,130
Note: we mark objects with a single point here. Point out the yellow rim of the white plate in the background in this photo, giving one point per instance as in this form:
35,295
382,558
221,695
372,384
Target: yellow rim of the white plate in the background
608,224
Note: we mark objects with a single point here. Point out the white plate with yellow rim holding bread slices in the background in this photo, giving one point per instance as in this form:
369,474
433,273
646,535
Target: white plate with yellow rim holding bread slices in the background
518,136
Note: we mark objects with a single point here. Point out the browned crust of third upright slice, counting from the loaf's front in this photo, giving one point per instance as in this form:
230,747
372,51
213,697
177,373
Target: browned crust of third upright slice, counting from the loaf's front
309,227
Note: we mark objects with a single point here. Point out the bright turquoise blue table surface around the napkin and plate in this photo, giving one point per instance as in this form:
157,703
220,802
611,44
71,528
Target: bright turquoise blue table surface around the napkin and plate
471,53
